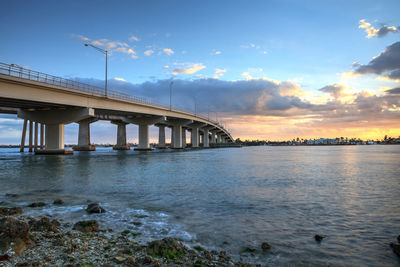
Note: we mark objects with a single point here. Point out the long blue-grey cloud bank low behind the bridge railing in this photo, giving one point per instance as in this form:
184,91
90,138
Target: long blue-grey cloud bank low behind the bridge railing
243,97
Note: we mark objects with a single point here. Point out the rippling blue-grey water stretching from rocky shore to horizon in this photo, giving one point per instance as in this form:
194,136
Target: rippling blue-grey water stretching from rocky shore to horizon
229,199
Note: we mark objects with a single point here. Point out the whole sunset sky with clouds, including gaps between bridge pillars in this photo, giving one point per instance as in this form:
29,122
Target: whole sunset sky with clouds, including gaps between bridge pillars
273,70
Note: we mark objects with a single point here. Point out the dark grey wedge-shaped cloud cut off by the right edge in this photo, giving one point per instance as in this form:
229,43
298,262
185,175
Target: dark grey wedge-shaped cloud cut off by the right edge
388,60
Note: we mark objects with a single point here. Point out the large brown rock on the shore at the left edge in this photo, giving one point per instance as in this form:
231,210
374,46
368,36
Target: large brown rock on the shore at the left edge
14,236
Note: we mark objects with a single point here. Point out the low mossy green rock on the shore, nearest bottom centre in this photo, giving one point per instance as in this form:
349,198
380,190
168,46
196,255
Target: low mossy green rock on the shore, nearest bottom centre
168,248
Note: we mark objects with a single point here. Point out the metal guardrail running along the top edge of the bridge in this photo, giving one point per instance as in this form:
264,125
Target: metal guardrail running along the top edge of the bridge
21,72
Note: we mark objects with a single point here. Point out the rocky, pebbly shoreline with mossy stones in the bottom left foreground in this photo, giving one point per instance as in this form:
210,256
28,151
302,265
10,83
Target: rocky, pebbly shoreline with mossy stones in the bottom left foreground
45,241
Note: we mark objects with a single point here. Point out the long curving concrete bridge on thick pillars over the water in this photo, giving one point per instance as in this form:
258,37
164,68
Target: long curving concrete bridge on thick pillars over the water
47,102
